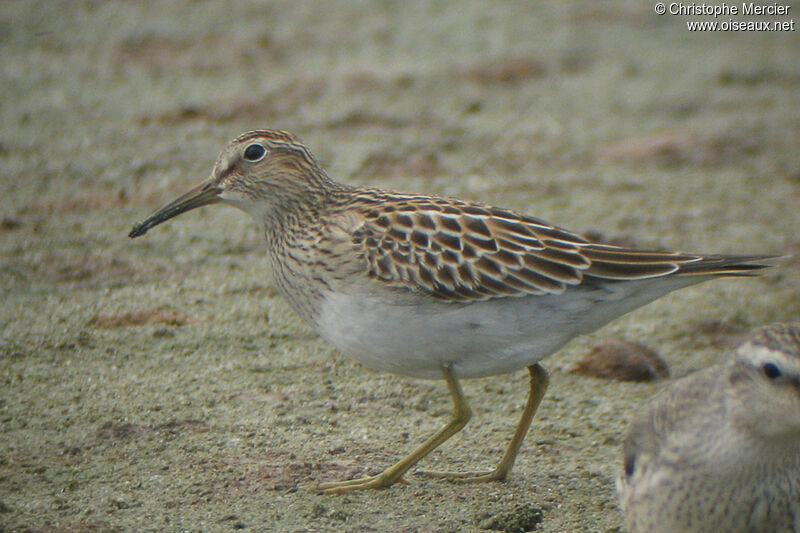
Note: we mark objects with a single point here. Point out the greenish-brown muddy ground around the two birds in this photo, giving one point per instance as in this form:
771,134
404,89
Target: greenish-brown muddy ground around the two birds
161,385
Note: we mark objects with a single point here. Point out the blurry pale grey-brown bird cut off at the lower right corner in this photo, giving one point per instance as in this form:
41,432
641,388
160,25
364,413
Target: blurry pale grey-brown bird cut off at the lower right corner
719,450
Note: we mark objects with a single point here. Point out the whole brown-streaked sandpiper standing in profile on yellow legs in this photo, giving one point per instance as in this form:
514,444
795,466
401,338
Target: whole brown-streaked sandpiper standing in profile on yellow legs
432,287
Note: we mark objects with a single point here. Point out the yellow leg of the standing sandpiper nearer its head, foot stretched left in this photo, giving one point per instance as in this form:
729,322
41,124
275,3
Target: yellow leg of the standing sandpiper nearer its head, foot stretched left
394,474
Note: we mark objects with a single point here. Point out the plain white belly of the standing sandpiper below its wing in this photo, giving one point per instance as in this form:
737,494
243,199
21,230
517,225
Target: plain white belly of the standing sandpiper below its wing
478,339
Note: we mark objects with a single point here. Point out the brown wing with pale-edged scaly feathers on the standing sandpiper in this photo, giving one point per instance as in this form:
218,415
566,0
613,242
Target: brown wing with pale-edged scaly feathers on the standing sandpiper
460,251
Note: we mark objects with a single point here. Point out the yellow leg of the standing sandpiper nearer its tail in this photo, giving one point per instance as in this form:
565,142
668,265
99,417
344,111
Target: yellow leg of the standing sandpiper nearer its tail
538,386
